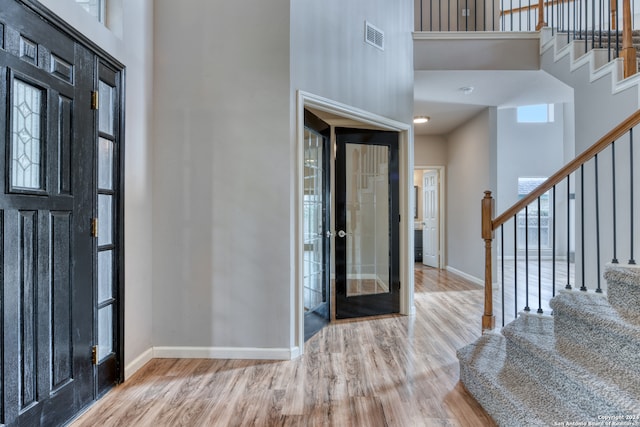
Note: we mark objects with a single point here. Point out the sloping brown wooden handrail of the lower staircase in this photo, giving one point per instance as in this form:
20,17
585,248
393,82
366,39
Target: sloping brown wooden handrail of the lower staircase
569,168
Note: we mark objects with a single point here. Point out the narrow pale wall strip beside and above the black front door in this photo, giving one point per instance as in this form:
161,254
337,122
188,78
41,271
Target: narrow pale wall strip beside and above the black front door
133,46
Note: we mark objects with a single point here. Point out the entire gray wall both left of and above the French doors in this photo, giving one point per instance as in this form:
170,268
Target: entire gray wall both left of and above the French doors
224,114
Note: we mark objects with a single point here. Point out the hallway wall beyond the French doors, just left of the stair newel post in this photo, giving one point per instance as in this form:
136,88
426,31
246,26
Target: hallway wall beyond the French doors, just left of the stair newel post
471,170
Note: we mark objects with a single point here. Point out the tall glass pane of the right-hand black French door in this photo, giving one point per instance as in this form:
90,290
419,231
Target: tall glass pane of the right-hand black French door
367,233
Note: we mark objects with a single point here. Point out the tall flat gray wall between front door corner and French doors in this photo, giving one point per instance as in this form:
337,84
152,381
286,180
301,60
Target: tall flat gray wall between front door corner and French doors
221,213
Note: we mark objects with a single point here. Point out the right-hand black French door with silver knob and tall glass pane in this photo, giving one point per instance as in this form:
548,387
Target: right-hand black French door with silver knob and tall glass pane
367,258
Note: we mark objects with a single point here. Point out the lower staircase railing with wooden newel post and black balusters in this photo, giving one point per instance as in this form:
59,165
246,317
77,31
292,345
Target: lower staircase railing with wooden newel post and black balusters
602,176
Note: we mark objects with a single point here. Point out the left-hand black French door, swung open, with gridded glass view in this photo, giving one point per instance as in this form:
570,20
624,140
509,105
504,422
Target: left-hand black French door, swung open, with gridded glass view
316,225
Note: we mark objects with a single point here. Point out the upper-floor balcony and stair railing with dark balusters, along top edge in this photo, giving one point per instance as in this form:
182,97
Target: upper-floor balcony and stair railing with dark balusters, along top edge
599,23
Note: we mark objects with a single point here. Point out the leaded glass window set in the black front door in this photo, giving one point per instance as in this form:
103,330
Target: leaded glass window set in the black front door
26,137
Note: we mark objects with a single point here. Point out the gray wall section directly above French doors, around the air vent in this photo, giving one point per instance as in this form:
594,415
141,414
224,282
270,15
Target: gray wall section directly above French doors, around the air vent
330,58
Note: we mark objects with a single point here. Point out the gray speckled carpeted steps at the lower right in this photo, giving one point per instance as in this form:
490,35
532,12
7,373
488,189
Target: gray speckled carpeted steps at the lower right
579,366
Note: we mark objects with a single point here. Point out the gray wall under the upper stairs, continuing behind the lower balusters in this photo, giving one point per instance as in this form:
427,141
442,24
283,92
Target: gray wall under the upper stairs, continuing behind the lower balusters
597,111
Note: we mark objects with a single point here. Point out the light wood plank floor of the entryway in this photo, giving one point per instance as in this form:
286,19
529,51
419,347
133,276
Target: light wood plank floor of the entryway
384,371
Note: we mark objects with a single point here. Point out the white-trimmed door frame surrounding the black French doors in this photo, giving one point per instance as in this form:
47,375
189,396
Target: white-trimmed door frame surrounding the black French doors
341,116
